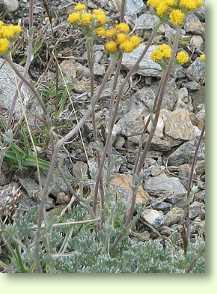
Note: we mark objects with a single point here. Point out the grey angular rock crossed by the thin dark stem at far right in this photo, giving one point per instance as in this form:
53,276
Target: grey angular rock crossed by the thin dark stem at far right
185,153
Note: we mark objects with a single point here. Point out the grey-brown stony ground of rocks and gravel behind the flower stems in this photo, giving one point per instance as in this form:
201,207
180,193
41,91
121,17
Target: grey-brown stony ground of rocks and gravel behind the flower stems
167,168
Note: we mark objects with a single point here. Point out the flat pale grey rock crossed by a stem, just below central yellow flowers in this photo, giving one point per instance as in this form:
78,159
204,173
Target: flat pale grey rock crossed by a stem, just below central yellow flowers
147,66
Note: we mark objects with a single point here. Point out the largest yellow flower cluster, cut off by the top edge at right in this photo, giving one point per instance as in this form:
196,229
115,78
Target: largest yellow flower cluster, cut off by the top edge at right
174,10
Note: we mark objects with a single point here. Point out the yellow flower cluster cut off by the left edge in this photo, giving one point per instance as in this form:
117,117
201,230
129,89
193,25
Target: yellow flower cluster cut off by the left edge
8,33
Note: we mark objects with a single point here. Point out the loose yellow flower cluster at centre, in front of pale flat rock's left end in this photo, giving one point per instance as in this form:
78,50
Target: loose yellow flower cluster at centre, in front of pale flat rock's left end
118,38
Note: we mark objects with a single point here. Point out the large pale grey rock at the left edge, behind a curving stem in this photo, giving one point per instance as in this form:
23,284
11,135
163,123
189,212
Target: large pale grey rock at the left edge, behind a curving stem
8,87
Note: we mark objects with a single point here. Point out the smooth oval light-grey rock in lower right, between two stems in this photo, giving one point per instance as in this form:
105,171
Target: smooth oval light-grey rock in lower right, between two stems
164,186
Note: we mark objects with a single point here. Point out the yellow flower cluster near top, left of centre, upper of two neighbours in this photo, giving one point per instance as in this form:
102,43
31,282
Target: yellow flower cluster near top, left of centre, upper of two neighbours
81,16
